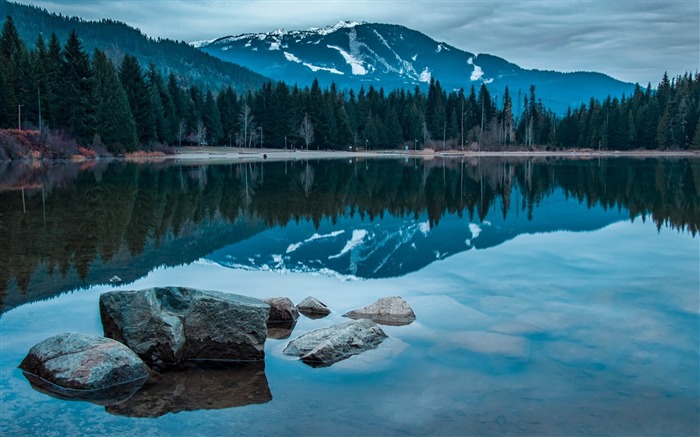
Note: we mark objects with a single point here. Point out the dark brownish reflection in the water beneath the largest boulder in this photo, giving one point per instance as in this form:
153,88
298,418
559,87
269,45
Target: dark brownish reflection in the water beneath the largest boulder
199,386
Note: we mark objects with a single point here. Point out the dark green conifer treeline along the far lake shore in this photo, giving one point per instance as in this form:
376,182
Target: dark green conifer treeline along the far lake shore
58,101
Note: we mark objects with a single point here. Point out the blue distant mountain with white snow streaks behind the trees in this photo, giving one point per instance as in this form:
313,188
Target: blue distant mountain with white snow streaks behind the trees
353,54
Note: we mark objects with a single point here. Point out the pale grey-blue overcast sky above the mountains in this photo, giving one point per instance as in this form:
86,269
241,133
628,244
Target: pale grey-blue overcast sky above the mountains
632,40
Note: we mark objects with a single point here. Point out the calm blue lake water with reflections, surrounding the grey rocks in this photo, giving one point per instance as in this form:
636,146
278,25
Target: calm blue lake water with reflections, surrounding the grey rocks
552,297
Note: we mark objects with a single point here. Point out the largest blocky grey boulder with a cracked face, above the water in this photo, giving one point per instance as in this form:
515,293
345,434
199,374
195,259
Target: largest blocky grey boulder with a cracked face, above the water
168,326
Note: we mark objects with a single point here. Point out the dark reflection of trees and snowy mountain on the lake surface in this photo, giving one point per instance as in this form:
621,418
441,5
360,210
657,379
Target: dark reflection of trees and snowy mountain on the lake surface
64,227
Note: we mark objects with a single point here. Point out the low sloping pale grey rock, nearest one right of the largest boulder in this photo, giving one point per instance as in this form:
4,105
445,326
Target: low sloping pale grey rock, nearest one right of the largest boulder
323,347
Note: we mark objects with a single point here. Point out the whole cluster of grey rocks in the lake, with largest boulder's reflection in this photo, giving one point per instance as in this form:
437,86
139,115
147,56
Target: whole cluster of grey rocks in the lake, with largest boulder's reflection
163,336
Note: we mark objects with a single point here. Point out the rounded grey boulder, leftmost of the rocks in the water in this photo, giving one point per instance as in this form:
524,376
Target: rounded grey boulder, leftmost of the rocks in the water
84,367
